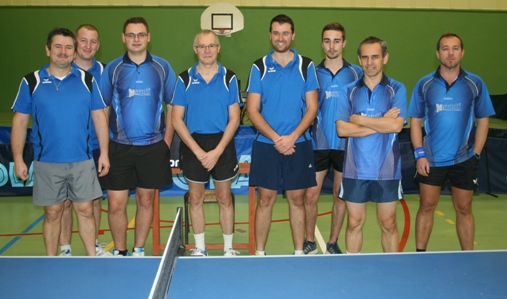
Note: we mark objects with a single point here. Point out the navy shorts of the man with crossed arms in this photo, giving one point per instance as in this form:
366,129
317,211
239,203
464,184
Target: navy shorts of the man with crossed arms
361,191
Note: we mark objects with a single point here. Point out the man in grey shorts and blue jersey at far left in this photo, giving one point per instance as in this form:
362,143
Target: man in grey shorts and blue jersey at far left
61,99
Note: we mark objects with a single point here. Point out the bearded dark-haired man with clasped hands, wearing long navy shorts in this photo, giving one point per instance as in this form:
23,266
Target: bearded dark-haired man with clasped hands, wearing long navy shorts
282,102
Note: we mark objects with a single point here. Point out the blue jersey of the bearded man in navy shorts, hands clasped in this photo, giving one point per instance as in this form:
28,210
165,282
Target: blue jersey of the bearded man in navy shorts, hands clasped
283,93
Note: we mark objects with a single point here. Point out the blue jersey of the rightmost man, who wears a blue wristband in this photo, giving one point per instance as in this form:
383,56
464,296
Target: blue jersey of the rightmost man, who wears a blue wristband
449,114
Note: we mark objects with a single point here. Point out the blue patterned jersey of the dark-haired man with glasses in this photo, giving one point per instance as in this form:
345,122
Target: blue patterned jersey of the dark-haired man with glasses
137,94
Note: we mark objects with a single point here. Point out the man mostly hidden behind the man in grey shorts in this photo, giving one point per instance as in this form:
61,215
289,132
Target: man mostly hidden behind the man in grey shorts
88,43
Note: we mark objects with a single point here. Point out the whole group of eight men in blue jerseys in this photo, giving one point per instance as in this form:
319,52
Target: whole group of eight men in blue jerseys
311,119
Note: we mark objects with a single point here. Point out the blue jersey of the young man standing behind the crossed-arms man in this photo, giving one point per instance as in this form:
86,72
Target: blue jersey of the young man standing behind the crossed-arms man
323,131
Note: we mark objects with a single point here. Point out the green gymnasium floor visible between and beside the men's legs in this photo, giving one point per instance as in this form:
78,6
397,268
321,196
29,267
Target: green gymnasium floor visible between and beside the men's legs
21,225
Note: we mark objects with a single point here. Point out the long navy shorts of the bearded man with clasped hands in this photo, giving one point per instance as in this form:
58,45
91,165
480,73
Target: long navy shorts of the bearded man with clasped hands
272,170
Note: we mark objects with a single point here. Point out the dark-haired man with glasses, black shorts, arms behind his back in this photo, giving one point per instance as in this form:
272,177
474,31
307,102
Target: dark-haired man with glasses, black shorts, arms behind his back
136,85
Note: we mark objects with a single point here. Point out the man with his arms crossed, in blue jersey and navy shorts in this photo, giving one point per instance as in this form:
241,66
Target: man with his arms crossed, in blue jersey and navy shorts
371,112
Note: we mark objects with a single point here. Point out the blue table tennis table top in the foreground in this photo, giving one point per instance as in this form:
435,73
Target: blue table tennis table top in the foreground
475,274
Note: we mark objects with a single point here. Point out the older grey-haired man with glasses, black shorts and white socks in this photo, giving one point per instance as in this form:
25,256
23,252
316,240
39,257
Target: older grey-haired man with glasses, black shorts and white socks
205,114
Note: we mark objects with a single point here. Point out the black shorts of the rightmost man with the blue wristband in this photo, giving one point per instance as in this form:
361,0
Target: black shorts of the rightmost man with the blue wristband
462,175
